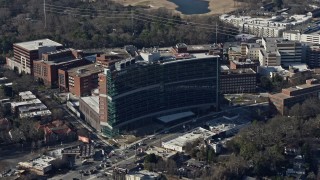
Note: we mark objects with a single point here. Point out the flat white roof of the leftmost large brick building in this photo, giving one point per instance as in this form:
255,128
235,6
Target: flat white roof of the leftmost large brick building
34,45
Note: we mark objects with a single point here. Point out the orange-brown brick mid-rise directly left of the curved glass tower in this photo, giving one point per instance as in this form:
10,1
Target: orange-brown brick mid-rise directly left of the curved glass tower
79,81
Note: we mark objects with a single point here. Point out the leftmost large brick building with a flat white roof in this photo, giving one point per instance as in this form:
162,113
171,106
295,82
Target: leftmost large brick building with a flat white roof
26,52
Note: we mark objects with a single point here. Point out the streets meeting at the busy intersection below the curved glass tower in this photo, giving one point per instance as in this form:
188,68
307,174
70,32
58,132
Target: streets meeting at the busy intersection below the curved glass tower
126,155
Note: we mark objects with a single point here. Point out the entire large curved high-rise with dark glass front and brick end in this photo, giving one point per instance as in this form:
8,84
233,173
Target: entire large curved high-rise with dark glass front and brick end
133,91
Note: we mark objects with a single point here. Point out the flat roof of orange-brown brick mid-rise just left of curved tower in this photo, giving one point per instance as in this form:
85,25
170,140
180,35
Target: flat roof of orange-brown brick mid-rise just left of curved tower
86,70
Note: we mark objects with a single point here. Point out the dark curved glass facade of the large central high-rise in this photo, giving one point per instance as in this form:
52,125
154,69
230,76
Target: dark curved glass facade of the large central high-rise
149,89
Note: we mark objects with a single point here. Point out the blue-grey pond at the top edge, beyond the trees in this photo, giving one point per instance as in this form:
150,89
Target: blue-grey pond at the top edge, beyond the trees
189,7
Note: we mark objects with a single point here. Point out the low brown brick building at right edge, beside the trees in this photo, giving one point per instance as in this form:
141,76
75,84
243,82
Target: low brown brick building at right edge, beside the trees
282,102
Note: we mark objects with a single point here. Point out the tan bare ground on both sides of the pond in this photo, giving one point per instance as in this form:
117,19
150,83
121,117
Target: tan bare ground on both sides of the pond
215,6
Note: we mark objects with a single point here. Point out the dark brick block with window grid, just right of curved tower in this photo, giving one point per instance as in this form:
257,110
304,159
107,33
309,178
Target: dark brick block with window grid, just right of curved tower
238,81
